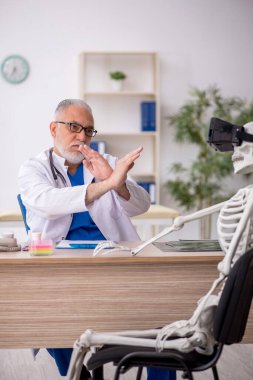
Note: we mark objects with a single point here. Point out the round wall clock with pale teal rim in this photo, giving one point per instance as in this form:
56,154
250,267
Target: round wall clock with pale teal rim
15,69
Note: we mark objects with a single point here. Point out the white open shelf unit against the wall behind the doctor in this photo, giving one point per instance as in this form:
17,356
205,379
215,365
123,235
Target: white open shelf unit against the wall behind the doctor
118,114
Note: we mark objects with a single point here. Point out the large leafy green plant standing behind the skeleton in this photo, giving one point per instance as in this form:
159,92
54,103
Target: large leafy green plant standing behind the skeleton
200,184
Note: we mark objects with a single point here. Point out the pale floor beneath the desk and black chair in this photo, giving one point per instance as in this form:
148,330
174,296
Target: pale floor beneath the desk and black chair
236,363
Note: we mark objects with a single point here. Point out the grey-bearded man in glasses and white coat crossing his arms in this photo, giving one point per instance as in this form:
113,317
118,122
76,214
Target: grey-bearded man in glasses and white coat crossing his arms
72,192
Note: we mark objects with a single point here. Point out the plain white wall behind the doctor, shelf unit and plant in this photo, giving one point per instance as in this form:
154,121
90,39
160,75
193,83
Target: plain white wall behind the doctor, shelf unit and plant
200,42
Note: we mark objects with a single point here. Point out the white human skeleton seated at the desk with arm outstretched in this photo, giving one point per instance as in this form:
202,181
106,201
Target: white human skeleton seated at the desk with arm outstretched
235,233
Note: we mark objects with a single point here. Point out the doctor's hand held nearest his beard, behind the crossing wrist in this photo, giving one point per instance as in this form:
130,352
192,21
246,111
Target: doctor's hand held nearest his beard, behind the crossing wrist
95,163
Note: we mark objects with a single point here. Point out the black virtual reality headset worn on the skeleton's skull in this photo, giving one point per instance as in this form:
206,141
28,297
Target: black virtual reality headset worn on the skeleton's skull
223,136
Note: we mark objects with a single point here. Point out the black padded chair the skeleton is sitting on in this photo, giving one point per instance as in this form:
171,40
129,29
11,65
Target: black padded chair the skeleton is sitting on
229,326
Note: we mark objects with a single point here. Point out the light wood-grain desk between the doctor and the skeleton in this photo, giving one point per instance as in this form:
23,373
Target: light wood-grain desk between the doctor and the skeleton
50,301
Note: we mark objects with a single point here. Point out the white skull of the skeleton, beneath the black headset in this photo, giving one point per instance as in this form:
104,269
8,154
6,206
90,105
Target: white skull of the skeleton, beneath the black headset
242,157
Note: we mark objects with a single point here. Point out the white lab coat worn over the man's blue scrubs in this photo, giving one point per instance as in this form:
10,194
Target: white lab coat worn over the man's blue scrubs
50,204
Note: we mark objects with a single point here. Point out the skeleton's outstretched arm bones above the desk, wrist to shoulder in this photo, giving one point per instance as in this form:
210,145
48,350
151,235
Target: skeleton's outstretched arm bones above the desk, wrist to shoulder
179,223
